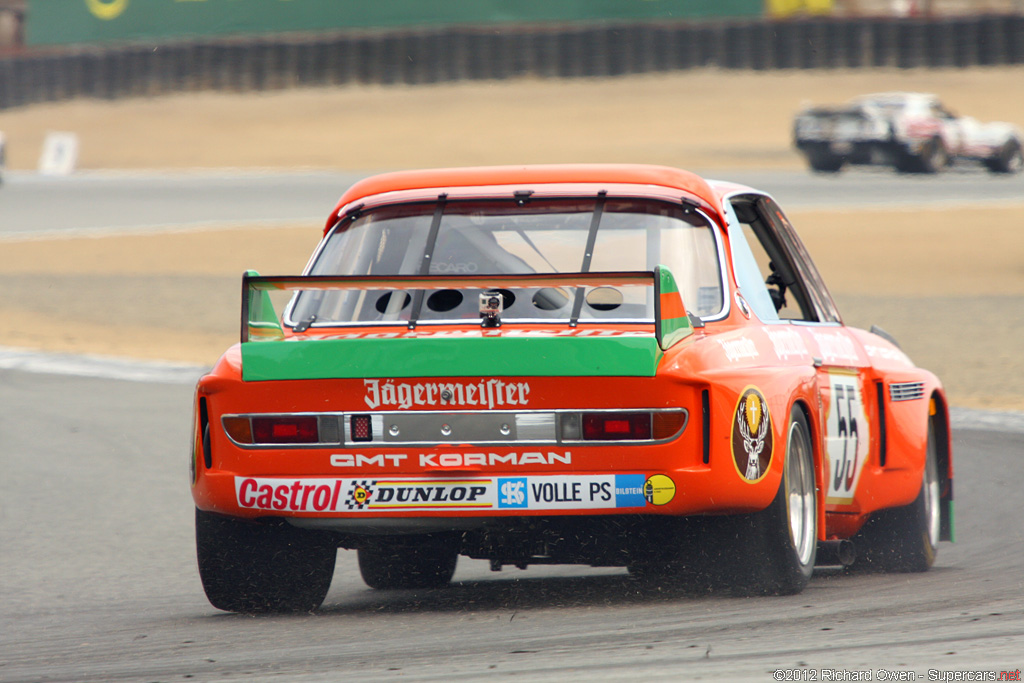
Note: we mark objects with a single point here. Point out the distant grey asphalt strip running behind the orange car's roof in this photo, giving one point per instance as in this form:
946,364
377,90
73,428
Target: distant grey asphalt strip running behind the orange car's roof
33,205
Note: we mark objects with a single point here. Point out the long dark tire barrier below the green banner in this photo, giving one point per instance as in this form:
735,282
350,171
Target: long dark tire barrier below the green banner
452,55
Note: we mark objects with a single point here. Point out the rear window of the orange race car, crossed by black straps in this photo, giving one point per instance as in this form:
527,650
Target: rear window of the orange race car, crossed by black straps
493,237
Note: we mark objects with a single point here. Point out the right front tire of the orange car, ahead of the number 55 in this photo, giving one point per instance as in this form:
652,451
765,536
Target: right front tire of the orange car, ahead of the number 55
906,539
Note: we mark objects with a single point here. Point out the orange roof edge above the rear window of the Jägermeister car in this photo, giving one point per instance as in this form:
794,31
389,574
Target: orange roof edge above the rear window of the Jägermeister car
607,176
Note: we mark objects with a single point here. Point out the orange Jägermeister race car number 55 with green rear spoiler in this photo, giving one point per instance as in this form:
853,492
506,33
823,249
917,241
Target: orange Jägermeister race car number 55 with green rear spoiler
609,365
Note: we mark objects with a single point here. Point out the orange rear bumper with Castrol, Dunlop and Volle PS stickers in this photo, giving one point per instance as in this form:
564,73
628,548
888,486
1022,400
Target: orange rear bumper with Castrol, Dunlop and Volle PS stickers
370,501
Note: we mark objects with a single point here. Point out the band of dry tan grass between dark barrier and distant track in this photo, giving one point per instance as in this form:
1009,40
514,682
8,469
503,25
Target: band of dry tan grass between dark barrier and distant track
700,119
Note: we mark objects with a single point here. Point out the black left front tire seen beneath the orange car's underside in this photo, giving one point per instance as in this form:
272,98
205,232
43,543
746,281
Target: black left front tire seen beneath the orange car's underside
405,563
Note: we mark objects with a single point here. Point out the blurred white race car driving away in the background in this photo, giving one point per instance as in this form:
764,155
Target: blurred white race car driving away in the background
913,133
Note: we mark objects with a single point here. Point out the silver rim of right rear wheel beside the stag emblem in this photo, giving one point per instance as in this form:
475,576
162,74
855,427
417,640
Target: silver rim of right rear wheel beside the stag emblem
801,496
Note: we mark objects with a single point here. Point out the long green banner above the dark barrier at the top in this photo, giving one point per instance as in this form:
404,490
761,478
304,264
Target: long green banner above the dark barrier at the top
69,22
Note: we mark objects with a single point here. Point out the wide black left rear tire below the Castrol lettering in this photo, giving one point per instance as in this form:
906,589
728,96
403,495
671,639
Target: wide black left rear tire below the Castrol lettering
252,568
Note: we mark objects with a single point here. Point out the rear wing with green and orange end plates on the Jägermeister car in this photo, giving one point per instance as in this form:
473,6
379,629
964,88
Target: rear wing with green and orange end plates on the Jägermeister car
261,323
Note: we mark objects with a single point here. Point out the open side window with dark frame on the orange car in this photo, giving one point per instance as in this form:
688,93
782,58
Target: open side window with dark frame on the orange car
779,272
